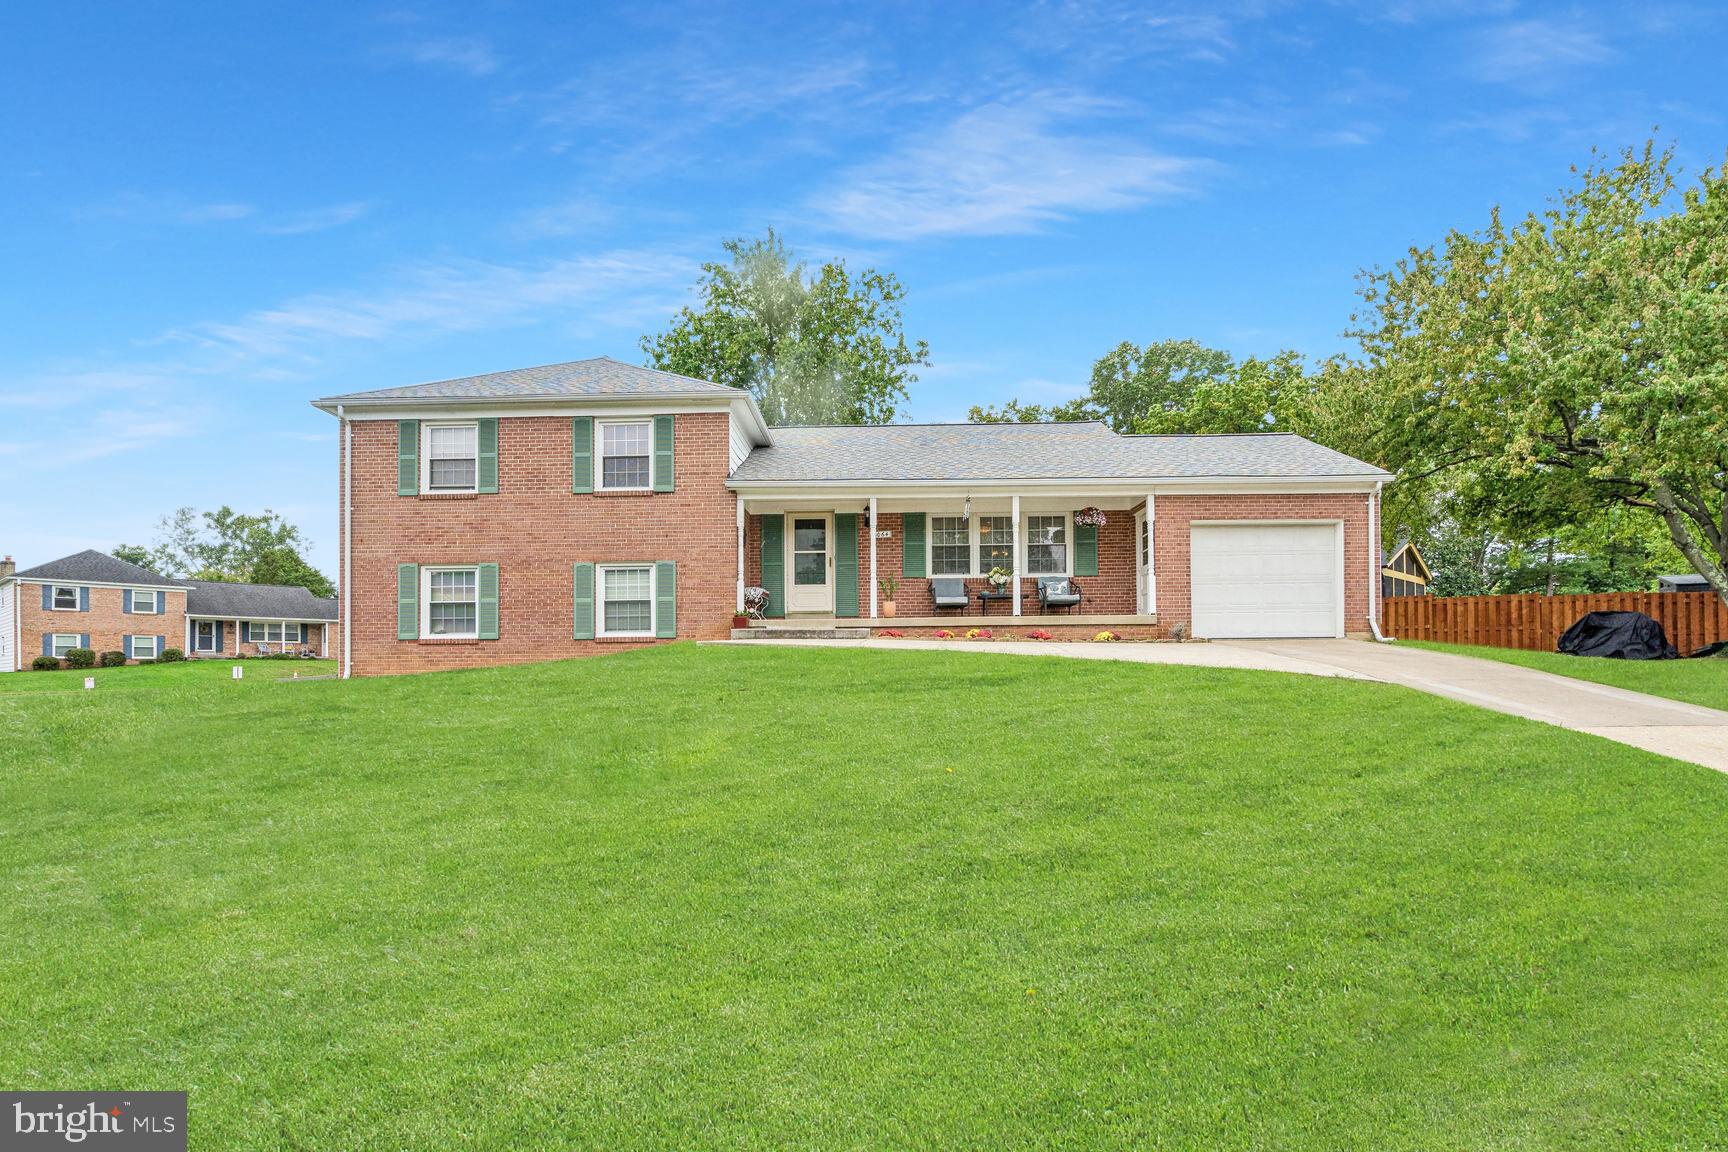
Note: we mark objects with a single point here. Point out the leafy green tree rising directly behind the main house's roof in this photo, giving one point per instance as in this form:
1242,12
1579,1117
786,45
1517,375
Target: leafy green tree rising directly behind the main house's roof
825,348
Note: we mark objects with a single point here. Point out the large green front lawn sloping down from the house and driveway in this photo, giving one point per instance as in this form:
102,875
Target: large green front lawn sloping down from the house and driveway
718,897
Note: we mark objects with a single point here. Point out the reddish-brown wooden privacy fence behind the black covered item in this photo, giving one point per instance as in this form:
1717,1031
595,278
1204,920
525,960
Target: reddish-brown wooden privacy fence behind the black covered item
1691,619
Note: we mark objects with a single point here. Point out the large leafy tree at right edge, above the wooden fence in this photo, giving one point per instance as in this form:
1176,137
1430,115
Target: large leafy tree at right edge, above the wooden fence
1580,353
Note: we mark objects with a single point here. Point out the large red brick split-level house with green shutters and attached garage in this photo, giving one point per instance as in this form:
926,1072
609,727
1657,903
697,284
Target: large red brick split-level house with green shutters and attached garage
588,507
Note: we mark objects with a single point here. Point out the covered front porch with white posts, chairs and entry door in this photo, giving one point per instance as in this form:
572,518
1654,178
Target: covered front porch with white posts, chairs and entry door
837,562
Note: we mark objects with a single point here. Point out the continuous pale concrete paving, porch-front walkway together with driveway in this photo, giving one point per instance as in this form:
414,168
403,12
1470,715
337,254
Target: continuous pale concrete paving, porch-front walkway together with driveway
1663,726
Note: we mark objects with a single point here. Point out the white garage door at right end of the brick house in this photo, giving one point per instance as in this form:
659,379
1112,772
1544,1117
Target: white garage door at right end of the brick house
1267,579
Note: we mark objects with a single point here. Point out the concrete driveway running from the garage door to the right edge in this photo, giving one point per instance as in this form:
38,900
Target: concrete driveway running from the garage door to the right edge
1651,723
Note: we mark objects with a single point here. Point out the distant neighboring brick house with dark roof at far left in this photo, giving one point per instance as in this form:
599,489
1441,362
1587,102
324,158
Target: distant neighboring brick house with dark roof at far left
105,604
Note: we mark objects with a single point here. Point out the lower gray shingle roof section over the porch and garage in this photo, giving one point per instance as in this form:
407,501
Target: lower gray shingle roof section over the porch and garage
1036,452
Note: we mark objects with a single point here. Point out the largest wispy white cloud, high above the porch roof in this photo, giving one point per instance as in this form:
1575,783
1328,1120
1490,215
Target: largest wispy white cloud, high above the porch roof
1003,168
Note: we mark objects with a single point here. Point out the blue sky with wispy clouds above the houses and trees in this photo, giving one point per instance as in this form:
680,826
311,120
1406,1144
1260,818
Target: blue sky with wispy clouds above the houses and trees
215,213
